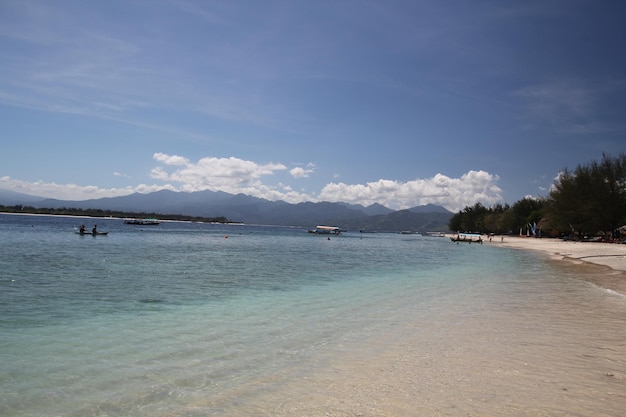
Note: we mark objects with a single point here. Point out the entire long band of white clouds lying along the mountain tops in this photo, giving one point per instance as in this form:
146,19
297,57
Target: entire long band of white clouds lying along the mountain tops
233,175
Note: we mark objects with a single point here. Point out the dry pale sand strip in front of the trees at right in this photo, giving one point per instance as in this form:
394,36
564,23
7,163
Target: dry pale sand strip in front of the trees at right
608,255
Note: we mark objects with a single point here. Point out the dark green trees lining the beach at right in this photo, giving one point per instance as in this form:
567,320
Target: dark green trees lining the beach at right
586,201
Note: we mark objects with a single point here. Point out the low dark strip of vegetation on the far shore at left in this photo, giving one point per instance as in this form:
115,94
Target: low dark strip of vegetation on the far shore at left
64,211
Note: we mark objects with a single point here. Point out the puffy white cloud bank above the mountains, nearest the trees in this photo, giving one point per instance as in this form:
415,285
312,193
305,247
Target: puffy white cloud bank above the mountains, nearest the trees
451,193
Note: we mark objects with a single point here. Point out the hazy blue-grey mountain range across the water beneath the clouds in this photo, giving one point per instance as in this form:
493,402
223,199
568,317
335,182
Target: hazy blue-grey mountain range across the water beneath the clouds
252,210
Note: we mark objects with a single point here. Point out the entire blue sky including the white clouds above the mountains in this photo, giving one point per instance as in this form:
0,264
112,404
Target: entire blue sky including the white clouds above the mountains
401,103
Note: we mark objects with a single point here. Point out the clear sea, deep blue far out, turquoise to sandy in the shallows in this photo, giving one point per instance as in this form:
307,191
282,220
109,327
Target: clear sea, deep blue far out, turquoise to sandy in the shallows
198,319
